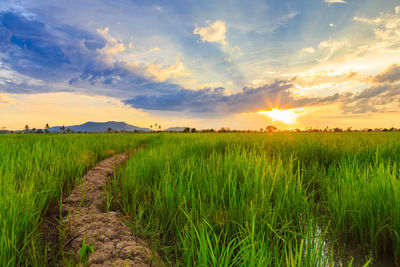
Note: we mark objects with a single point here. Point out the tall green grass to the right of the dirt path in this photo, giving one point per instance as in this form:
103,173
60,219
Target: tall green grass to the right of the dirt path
266,199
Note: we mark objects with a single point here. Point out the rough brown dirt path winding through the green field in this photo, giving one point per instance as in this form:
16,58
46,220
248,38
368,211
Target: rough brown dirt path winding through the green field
84,217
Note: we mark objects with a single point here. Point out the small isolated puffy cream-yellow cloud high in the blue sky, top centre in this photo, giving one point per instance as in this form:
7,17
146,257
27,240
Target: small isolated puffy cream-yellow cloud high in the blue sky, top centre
214,32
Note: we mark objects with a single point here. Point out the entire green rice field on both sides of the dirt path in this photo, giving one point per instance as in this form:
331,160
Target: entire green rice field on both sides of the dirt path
222,199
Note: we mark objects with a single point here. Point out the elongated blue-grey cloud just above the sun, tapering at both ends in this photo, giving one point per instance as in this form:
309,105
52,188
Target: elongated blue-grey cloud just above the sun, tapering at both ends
217,101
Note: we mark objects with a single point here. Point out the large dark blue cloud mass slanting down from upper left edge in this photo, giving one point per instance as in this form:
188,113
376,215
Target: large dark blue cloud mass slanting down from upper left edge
64,54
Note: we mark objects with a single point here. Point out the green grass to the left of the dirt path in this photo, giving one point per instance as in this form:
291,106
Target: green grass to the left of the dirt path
35,171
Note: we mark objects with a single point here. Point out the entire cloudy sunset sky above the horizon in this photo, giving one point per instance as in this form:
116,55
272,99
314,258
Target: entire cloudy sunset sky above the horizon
203,64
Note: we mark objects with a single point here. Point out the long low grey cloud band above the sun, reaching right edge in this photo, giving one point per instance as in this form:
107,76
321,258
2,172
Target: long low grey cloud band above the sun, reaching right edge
375,98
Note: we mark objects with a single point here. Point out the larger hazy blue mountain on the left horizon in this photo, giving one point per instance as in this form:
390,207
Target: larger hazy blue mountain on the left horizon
101,127
